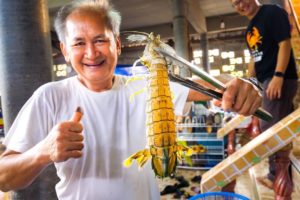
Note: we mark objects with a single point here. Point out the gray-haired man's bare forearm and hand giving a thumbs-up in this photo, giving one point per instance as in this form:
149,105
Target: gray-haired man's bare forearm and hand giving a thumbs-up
19,170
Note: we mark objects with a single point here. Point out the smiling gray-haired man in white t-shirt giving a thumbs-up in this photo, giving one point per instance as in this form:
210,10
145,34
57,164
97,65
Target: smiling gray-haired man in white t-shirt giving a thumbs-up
88,155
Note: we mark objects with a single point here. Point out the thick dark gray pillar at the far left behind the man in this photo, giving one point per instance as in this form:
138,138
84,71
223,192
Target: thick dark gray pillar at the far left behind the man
25,64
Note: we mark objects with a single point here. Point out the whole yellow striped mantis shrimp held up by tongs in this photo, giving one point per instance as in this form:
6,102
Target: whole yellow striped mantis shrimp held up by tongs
160,124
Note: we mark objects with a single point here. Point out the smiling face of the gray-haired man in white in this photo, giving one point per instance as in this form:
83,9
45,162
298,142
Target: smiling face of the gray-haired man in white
91,48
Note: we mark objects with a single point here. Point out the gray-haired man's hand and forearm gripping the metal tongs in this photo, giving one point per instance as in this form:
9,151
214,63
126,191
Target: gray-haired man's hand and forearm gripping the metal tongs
240,96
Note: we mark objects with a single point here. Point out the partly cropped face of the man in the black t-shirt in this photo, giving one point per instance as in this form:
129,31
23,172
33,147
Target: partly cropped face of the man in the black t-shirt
246,8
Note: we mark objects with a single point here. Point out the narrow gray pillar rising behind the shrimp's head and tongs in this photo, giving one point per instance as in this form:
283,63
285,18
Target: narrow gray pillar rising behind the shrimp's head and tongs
181,34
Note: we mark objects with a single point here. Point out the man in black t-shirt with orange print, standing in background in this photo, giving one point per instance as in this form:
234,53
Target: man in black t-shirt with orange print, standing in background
268,38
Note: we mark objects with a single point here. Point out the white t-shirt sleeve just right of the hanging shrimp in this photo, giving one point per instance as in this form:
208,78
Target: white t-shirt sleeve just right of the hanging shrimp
180,97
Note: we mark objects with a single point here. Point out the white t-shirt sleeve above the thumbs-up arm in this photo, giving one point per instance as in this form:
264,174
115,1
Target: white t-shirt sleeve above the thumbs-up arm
30,126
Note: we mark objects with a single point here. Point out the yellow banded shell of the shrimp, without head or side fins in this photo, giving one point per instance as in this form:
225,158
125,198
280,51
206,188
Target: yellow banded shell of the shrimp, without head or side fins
161,127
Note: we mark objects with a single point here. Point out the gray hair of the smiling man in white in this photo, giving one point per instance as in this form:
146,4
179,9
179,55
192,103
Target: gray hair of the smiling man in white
111,17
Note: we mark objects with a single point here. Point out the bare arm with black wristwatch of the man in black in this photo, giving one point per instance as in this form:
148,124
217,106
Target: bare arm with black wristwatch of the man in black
274,88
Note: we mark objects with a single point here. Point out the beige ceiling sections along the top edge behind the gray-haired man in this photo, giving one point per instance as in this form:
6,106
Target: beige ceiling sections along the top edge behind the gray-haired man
137,14
